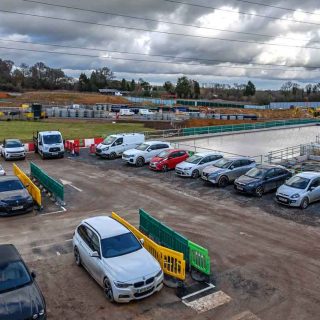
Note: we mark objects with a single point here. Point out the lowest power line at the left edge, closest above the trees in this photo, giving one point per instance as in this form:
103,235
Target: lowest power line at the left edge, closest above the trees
143,60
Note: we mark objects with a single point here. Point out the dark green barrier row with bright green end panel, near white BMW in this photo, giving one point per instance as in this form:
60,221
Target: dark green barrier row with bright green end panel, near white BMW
196,256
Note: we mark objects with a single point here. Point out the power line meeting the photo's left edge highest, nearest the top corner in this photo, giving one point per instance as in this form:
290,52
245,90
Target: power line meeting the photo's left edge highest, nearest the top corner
158,31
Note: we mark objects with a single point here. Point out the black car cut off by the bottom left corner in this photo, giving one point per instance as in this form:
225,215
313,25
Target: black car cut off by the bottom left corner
20,296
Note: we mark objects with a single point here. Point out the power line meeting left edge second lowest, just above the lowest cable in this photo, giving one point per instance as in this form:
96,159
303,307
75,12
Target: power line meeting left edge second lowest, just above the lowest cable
158,55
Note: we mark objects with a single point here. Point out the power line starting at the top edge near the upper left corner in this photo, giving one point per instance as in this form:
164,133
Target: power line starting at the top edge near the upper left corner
154,20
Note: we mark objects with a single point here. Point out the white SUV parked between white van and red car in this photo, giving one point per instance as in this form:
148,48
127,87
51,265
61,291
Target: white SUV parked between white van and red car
145,152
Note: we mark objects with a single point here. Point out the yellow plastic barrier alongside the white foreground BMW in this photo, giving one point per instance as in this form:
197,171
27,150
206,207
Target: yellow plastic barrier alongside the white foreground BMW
171,262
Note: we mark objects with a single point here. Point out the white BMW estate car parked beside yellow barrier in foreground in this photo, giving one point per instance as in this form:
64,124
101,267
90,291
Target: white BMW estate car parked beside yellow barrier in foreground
116,259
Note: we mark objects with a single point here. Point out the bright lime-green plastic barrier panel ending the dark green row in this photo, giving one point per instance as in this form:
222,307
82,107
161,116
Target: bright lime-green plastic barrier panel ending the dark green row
199,258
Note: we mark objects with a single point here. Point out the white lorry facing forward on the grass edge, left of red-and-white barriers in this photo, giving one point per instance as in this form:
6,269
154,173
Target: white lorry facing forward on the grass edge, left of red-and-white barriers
49,144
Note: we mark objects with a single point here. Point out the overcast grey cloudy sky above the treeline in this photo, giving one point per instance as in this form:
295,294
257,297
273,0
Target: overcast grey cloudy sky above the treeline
281,38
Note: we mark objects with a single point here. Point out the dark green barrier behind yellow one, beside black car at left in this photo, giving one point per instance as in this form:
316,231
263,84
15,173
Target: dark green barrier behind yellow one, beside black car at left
49,183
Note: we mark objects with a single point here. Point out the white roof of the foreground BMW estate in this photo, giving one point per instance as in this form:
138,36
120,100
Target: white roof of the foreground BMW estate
106,226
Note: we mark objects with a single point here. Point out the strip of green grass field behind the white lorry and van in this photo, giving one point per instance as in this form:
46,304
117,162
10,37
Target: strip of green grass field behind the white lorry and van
81,129
